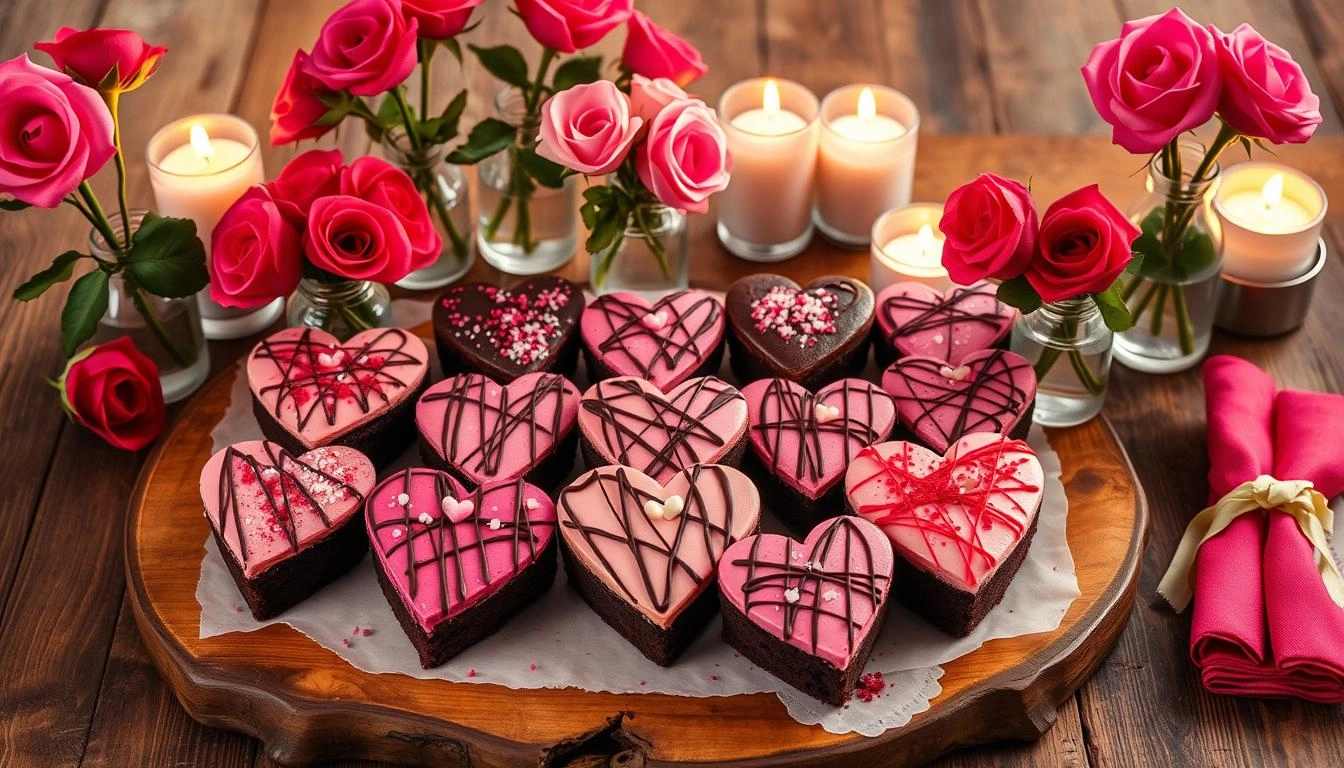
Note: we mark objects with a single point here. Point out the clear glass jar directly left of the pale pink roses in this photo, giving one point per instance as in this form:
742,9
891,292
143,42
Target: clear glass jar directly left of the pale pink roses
523,228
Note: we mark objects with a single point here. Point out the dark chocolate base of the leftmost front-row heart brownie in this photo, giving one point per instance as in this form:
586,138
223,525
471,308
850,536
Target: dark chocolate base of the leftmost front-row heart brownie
295,579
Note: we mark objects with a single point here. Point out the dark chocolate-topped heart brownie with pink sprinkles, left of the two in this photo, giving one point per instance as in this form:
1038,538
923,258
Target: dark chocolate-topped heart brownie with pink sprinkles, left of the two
509,333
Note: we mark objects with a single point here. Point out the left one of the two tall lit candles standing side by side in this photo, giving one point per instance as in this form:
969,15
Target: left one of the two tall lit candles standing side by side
767,212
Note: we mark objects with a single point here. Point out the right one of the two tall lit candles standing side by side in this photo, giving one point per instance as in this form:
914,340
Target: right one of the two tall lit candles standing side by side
868,161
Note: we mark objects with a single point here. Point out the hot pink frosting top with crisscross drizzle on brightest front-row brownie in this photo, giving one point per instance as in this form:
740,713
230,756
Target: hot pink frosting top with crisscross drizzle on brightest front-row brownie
458,564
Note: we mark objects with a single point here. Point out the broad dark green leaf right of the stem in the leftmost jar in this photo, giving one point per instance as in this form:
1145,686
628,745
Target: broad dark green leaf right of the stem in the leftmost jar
167,259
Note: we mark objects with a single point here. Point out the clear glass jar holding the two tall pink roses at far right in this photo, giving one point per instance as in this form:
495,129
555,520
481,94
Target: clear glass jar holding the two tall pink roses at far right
1175,297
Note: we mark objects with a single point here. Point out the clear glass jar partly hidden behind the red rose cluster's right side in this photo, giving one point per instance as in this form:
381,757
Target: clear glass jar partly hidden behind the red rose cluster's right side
444,188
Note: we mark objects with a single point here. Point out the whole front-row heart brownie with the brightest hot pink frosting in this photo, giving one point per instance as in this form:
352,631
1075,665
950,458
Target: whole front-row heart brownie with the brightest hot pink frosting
456,564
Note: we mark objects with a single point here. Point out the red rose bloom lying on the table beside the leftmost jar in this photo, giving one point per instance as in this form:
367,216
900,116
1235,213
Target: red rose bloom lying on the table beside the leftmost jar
114,391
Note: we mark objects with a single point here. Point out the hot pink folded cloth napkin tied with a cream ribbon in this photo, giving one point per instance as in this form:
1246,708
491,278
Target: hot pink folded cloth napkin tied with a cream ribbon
1264,625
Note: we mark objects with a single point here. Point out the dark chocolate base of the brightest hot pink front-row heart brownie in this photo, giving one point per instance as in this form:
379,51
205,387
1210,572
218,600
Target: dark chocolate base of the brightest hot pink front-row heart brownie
455,636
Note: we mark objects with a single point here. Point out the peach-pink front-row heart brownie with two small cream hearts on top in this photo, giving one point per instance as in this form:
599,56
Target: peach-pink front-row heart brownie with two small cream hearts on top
654,547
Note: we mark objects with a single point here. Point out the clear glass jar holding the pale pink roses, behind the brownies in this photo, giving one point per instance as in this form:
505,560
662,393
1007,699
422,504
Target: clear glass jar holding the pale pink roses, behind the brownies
650,259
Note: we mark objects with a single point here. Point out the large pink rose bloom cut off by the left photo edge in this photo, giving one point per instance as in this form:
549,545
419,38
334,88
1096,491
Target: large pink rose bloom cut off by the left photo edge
54,134
